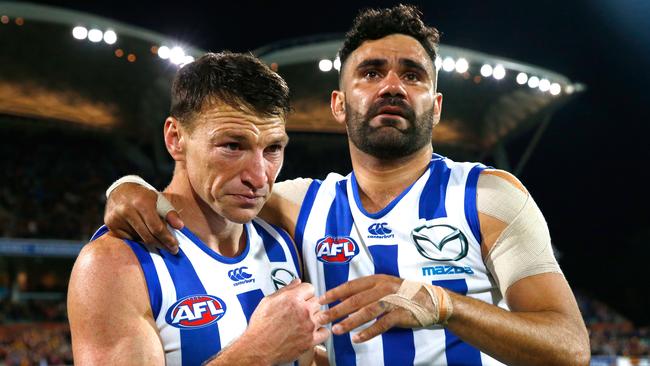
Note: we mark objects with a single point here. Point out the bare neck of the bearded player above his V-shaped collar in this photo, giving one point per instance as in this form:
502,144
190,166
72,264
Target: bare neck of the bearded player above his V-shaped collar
380,181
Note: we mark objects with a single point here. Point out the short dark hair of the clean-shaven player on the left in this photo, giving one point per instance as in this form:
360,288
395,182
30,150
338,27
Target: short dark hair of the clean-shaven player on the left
239,80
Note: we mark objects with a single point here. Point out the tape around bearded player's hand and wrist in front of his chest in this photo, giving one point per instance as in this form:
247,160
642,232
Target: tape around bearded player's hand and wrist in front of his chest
442,306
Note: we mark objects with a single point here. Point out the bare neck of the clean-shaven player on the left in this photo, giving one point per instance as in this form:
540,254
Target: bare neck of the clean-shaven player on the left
220,234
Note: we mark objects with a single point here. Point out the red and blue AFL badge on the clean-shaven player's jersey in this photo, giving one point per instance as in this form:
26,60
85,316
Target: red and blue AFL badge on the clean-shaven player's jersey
195,311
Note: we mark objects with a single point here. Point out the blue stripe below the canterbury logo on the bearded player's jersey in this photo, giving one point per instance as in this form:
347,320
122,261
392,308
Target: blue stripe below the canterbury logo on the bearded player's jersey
398,343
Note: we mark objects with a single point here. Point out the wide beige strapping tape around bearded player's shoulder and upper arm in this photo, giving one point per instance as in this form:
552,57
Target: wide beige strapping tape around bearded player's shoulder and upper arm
524,247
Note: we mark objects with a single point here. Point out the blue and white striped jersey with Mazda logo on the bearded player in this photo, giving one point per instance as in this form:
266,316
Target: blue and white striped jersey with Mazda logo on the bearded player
430,233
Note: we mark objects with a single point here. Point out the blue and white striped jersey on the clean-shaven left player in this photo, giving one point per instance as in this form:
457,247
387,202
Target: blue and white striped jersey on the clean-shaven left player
202,301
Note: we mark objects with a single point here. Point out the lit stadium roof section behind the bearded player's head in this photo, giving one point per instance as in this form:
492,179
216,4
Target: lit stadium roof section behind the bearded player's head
481,108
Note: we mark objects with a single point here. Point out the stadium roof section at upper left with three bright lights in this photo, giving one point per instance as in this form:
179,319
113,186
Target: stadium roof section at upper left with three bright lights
67,66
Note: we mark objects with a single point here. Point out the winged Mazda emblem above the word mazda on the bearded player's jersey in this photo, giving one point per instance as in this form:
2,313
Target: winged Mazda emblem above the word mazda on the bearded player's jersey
440,242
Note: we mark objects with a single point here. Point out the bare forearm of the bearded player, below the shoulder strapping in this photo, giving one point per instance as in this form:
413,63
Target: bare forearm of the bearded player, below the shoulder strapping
519,338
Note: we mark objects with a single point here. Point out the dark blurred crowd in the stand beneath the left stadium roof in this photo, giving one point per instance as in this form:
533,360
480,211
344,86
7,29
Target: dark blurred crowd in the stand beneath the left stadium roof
54,184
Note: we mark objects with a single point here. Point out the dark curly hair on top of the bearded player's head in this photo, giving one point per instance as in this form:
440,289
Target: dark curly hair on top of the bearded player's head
372,24
